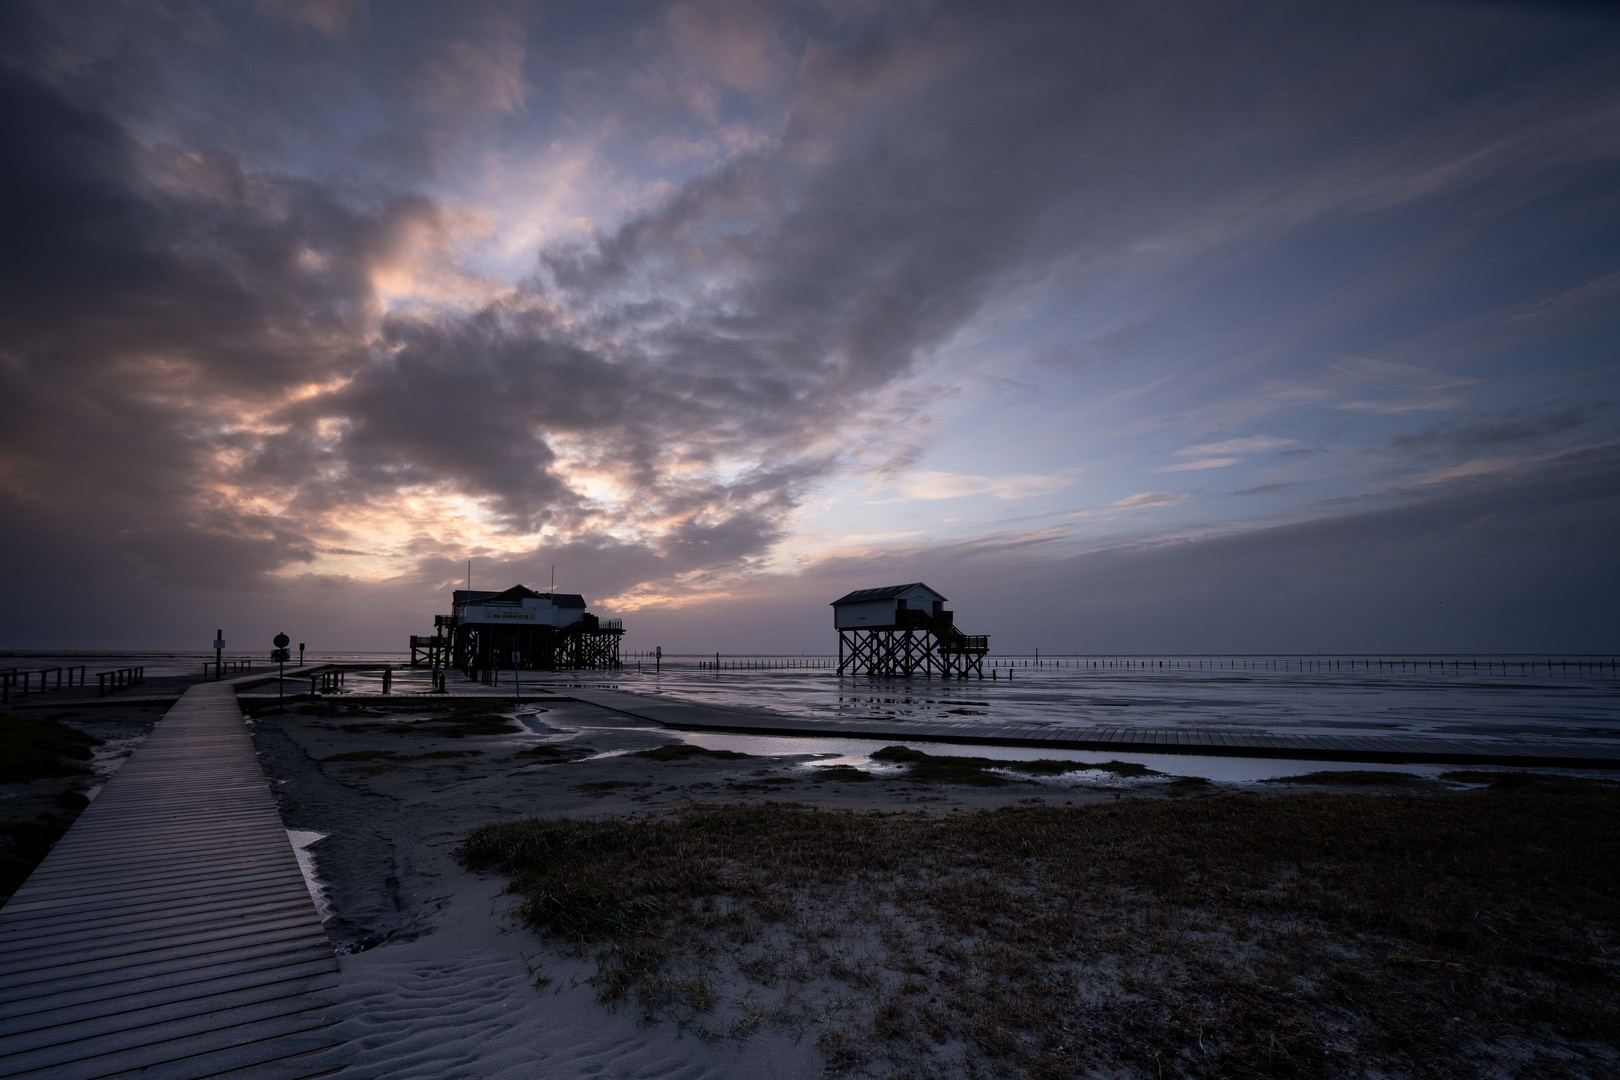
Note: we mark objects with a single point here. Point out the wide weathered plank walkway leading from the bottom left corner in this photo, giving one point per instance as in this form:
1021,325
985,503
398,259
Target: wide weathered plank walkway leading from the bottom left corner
169,933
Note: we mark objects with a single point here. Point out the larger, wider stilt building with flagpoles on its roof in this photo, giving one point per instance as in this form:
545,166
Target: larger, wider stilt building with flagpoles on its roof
518,627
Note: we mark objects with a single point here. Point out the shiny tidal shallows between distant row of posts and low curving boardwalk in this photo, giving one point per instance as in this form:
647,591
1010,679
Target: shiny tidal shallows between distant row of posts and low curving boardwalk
1279,695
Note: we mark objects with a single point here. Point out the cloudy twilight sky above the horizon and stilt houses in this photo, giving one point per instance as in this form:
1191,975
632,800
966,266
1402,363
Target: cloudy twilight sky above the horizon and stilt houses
1130,328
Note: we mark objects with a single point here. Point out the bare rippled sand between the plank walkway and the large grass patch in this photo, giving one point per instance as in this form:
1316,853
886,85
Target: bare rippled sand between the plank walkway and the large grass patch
435,979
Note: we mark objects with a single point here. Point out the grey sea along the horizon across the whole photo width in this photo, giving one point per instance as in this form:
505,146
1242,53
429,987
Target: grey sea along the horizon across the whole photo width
1546,697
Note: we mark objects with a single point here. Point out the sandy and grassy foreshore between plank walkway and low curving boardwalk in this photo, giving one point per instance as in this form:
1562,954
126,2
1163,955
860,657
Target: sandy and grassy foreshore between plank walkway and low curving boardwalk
565,890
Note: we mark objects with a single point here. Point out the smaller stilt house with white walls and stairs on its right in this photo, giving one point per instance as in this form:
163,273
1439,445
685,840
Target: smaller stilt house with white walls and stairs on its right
905,631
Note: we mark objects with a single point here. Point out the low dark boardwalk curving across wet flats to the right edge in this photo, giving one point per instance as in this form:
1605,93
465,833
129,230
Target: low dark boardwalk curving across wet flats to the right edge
1577,754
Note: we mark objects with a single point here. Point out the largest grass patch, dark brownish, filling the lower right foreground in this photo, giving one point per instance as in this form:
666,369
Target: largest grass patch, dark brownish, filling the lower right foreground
1305,935
